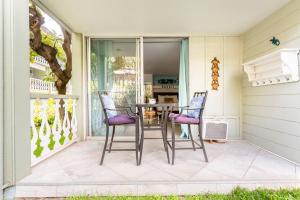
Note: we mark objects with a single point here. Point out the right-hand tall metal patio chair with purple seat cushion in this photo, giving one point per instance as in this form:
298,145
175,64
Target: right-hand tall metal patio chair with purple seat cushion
193,116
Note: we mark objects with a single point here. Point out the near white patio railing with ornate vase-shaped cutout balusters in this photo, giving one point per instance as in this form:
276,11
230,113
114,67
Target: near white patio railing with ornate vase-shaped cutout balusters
52,128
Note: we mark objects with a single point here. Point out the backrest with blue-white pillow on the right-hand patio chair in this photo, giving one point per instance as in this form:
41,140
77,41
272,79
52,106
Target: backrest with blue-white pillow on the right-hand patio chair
198,97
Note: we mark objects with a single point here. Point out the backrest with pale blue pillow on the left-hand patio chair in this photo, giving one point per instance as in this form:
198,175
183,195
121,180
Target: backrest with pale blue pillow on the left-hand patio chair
107,103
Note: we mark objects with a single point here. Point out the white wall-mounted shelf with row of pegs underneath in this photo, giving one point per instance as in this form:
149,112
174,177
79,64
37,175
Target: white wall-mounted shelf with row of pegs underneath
278,67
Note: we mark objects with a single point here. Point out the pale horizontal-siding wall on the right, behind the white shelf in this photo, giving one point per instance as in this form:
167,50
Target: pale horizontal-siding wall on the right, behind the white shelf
271,114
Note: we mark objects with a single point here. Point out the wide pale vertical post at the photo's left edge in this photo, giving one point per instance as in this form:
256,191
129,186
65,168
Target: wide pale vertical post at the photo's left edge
16,91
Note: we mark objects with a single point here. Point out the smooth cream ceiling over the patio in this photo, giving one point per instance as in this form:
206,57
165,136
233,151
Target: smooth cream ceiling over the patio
125,17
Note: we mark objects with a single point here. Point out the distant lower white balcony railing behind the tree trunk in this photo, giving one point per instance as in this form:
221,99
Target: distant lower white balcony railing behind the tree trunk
45,87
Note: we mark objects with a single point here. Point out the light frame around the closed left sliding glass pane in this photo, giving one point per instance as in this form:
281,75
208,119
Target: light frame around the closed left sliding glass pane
139,76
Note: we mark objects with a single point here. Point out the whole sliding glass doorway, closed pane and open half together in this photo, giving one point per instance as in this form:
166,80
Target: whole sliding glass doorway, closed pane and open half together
133,70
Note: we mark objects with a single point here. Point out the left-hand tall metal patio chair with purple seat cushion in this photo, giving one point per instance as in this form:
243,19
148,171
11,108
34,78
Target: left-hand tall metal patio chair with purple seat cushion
117,116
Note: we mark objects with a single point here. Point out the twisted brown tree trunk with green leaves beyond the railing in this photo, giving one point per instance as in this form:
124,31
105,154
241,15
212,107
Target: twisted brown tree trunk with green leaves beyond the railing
53,48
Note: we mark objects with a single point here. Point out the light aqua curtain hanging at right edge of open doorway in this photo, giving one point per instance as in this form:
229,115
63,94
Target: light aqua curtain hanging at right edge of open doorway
183,80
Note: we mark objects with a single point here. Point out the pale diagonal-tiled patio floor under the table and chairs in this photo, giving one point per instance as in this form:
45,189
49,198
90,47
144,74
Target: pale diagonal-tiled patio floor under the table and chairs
76,170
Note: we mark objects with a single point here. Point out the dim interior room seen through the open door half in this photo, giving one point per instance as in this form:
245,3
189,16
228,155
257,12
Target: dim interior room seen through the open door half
161,73
